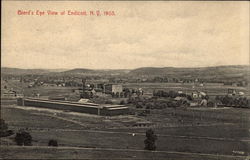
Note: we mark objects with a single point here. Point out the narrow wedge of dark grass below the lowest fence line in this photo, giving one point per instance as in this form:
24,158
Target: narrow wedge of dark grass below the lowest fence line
97,153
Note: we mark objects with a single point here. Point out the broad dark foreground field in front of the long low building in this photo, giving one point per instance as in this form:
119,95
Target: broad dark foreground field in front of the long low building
185,135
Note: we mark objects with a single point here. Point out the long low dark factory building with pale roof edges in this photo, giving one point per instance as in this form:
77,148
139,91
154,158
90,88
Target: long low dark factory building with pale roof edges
91,108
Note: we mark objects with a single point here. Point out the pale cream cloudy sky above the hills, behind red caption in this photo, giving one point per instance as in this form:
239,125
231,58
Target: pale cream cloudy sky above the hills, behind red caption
140,34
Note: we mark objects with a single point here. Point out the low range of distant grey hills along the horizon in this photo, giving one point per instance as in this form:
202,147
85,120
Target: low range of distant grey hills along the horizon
219,72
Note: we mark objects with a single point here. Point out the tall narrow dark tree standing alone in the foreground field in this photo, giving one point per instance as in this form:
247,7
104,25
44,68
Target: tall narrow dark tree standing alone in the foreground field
150,140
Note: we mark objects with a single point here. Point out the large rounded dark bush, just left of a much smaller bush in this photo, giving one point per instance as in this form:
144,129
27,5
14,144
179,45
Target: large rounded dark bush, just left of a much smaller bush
23,138
